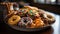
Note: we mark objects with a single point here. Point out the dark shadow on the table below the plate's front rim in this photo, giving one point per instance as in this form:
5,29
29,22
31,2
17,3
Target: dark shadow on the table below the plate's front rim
48,30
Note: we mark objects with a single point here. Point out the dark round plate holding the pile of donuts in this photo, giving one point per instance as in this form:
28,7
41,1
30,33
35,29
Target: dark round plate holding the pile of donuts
25,29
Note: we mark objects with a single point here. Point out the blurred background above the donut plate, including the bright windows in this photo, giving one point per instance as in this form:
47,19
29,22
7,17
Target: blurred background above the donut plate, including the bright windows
51,5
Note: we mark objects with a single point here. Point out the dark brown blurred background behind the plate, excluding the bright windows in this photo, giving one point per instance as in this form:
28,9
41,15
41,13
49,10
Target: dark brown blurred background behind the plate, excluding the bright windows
55,8
